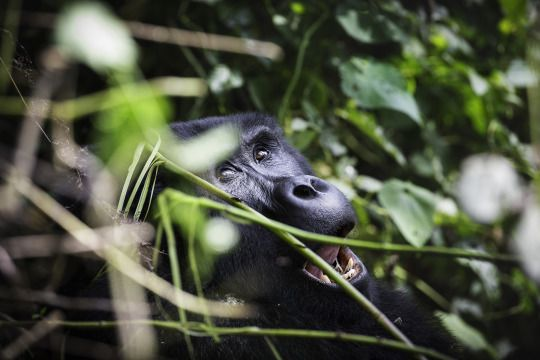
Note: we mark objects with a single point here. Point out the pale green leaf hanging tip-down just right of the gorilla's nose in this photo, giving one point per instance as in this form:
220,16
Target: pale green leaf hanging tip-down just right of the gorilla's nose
411,208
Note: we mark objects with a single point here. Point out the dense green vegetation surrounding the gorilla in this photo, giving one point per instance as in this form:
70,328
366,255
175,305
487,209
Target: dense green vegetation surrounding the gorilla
425,113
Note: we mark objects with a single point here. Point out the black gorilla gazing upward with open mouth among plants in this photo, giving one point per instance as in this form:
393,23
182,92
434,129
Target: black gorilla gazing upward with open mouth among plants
273,178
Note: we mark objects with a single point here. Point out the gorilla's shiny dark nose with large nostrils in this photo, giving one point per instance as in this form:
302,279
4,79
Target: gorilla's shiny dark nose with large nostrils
314,204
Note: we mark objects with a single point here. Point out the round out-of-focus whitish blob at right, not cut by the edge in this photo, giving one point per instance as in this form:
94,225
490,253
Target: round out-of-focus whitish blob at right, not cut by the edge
488,187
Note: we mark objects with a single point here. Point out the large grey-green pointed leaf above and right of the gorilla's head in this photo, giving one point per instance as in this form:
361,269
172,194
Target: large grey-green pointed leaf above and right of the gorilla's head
375,85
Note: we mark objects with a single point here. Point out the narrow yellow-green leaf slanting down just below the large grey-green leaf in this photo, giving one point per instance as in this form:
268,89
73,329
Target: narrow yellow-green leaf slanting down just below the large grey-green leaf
366,124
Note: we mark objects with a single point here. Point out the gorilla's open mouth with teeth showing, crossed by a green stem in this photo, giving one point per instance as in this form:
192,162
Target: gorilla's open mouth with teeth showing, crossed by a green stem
344,261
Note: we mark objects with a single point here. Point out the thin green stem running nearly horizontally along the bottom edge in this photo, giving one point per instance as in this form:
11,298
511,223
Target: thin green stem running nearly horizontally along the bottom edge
200,329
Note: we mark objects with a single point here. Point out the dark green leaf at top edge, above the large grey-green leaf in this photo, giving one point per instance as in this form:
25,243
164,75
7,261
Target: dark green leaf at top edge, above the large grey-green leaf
365,23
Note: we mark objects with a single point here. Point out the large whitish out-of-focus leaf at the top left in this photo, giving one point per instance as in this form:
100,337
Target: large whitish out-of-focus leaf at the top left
90,33
